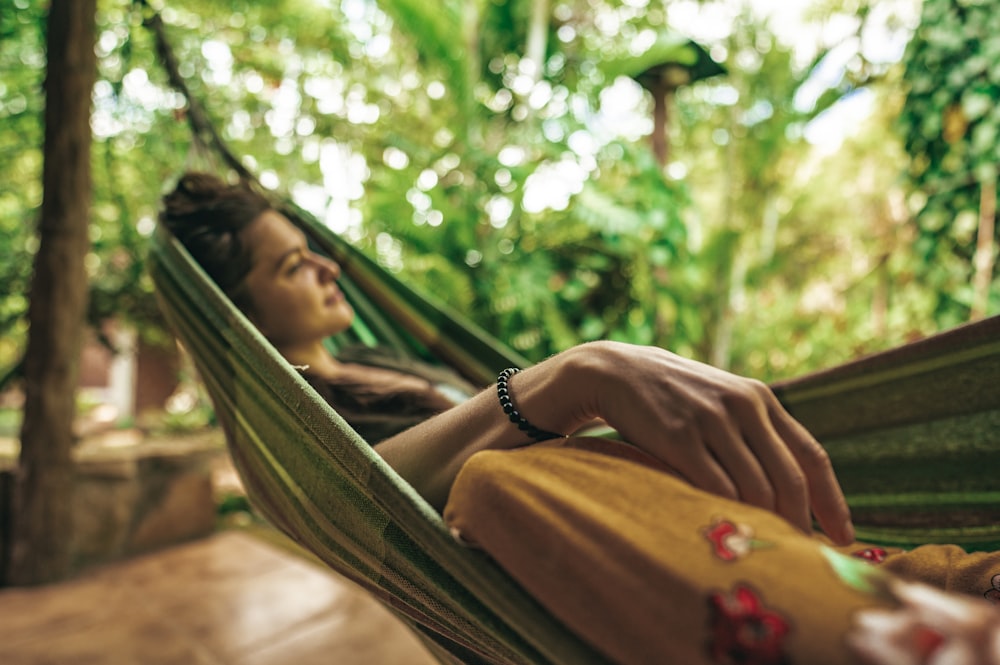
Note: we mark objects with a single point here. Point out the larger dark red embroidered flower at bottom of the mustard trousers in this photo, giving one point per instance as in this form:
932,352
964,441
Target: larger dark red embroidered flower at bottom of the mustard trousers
743,631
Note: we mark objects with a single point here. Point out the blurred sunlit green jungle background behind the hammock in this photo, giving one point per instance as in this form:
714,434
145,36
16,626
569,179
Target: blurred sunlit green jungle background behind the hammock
828,191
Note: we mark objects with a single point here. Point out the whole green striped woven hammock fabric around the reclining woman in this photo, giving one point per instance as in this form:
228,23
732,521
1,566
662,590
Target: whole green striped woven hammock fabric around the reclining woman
914,434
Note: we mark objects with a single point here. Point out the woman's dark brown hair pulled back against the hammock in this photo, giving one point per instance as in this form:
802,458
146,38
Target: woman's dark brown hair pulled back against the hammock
208,216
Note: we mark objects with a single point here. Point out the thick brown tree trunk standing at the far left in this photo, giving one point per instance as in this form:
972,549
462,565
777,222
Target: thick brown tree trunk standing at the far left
43,518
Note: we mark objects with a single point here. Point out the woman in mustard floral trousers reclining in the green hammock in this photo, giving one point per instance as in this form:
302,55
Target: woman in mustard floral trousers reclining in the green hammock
691,544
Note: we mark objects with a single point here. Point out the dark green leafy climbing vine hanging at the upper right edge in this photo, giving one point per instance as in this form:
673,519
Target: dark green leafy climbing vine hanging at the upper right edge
951,125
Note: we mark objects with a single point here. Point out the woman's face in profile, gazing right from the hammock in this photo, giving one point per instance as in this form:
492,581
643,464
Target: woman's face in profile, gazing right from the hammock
294,293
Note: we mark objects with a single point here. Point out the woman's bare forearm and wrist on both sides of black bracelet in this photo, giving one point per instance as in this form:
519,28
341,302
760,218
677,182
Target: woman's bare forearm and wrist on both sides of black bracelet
430,454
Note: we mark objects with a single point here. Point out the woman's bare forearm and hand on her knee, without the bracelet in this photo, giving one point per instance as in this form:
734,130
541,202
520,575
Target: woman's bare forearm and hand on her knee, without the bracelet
723,433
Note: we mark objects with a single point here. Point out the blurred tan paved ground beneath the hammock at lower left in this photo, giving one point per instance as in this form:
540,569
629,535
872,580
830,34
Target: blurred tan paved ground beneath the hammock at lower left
230,599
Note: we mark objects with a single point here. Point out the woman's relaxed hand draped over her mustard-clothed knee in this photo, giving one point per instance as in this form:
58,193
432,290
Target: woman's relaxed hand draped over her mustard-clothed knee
723,433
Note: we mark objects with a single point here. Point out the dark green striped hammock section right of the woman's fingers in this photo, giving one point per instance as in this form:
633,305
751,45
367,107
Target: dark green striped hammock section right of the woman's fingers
914,434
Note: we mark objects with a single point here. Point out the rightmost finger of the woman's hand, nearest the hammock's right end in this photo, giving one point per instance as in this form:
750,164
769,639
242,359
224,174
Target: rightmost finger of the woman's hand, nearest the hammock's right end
826,497
